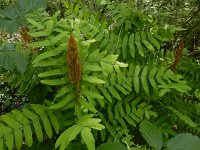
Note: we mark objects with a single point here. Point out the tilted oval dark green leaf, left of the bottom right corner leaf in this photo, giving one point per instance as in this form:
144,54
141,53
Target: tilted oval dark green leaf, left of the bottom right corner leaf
151,134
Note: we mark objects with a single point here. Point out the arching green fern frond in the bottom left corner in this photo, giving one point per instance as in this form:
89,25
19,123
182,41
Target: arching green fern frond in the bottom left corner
17,126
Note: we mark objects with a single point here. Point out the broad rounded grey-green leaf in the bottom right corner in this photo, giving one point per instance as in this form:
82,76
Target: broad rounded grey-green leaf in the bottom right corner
184,141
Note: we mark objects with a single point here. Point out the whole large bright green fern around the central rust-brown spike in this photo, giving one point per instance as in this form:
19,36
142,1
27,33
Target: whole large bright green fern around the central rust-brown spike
106,73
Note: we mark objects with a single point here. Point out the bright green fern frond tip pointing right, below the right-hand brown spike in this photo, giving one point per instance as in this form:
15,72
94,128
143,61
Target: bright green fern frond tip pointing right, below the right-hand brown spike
156,77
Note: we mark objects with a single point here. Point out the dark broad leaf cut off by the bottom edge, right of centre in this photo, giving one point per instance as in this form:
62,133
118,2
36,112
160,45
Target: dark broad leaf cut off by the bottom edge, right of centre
112,146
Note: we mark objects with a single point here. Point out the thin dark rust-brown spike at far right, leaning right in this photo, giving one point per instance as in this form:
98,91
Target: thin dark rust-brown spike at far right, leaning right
179,52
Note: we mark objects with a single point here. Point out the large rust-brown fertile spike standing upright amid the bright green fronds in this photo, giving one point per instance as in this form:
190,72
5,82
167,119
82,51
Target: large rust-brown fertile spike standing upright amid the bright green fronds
74,66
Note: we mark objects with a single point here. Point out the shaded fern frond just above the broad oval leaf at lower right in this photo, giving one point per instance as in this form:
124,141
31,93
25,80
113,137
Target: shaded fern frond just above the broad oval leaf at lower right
123,114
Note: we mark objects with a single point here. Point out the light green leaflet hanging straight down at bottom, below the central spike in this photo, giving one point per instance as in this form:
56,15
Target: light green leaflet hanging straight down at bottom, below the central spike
88,138
